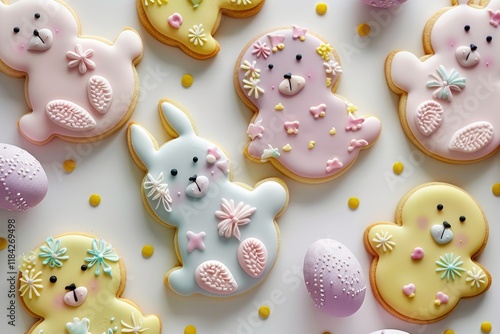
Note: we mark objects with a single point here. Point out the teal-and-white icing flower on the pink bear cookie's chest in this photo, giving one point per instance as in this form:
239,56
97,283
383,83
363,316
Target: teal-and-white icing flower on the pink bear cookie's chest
446,82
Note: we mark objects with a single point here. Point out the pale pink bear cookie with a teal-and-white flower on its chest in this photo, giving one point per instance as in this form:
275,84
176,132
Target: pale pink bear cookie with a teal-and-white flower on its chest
449,96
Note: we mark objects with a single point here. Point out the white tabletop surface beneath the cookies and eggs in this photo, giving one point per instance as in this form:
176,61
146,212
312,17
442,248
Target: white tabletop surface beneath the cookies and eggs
314,211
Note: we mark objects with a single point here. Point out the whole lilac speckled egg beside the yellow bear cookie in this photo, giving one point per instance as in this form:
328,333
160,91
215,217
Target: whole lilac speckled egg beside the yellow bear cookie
334,278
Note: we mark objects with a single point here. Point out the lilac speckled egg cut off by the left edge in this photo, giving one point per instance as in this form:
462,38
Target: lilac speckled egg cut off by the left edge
23,180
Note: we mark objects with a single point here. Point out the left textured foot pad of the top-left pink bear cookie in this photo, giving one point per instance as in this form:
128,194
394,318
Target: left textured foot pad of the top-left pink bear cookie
69,115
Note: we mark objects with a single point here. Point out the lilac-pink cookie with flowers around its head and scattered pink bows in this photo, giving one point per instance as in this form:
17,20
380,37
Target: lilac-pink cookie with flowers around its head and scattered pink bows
287,77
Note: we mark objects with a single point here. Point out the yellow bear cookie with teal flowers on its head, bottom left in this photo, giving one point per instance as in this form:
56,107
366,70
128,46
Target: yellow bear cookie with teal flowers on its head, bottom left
73,283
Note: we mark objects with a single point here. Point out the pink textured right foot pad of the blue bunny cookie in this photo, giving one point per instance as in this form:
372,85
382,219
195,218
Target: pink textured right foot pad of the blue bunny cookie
252,256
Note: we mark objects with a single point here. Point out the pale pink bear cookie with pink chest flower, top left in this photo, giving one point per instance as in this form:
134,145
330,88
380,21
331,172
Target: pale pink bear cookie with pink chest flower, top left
79,88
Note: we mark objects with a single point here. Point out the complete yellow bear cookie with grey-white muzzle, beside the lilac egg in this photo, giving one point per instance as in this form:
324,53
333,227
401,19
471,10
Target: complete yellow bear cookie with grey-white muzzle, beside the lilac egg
425,262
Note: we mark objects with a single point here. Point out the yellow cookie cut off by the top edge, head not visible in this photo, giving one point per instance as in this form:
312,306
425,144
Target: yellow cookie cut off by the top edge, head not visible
191,24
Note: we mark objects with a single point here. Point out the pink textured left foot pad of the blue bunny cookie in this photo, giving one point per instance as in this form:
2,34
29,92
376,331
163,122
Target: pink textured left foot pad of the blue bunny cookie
215,277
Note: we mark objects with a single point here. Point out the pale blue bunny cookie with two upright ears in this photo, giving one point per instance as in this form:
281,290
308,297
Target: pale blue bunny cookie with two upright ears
227,239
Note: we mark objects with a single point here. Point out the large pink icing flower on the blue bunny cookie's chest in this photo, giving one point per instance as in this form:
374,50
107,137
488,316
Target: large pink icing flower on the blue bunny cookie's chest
232,217
